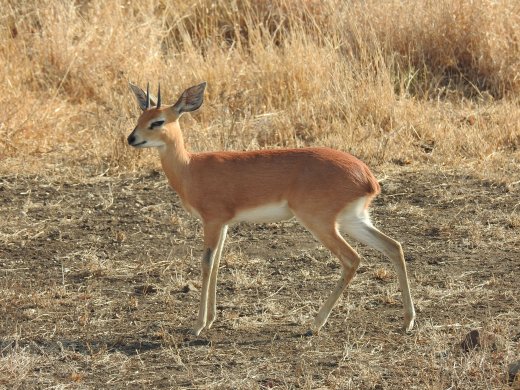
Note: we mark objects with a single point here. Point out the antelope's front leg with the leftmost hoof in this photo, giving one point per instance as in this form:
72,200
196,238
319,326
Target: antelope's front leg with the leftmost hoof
211,239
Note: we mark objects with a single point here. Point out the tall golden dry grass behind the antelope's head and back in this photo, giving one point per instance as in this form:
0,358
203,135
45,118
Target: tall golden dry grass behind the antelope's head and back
396,81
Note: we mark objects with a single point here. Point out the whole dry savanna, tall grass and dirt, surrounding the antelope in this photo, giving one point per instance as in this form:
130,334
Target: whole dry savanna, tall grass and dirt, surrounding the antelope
100,266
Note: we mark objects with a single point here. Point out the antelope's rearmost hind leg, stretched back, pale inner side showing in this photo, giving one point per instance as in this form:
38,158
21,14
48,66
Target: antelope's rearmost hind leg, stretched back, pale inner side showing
363,231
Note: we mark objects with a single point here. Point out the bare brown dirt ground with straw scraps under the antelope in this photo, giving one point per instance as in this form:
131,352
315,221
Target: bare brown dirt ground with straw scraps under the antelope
99,287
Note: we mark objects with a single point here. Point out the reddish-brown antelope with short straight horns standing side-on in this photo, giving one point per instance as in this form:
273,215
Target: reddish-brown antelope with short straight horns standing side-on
326,190
